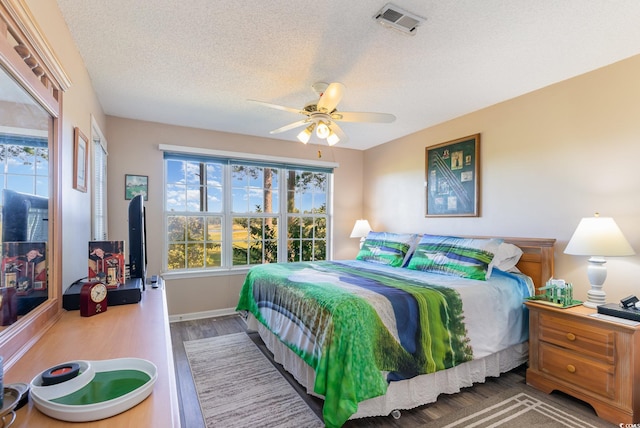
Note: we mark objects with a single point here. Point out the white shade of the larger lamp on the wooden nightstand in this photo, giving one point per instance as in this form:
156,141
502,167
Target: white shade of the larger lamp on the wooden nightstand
598,236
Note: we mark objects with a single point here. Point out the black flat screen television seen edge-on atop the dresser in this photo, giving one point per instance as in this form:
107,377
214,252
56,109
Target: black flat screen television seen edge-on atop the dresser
137,239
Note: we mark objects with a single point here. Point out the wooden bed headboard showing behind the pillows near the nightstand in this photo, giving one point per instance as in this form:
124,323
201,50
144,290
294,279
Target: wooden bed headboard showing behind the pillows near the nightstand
536,260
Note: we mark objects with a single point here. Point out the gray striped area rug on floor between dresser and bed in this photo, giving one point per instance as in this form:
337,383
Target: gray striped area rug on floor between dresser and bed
238,387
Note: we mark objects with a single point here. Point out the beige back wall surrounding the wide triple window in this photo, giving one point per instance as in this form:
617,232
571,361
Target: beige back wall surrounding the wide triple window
133,149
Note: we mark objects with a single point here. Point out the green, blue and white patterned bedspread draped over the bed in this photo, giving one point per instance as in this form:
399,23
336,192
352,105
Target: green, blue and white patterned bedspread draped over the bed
358,329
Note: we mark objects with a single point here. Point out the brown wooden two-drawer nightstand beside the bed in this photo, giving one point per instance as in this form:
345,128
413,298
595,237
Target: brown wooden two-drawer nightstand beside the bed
592,359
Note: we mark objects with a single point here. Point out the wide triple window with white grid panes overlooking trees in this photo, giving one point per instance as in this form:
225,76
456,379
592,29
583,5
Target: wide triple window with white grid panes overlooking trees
226,213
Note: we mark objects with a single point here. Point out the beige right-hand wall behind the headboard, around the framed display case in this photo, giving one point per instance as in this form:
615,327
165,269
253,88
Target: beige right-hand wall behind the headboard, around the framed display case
548,159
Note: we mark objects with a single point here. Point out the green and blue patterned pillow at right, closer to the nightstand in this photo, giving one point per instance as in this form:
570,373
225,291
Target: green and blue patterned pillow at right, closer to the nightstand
450,255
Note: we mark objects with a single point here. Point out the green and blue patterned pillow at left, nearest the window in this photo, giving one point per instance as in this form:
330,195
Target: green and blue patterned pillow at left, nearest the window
387,248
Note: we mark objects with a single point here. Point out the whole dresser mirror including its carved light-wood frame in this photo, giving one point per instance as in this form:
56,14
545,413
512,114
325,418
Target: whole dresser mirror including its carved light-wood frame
31,87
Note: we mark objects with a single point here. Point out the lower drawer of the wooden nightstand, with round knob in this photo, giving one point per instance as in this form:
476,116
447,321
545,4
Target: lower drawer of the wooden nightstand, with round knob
585,373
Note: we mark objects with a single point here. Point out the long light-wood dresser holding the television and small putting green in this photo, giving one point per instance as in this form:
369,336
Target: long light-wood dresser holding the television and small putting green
138,330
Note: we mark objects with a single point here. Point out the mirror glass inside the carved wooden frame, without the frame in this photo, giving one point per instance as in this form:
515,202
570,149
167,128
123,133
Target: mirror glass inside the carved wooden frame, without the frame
25,127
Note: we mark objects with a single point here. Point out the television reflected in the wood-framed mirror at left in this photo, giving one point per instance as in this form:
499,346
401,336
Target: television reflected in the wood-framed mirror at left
24,217
